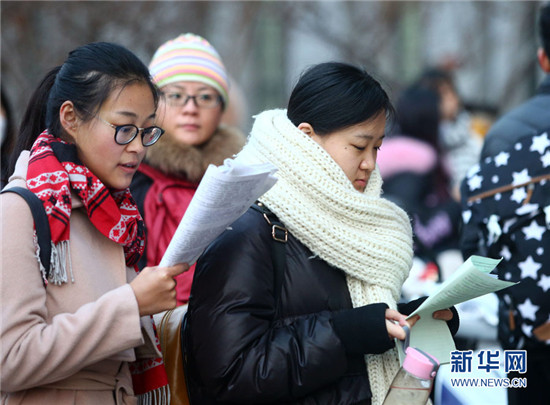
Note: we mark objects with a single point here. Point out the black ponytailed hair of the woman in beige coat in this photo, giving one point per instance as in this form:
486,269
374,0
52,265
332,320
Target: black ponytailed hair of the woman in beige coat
87,78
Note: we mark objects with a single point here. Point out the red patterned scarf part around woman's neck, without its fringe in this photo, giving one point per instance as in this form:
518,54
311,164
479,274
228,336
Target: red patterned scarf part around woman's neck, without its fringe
55,170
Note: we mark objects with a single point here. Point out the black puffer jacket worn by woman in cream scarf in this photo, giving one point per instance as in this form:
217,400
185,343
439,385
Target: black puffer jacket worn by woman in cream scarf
239,351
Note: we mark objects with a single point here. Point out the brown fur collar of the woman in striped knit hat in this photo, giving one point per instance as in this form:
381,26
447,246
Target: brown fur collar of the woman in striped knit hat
191,161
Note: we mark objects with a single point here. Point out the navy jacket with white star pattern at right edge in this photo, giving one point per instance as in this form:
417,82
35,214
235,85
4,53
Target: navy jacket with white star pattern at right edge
506,213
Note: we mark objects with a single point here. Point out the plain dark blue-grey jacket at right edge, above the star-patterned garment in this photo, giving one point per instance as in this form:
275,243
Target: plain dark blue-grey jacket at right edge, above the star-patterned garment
528,118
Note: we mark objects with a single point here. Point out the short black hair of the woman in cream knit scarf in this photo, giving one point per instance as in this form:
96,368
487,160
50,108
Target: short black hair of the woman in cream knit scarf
332,96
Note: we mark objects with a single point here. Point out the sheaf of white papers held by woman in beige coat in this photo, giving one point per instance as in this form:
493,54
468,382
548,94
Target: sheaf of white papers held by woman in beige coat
224,194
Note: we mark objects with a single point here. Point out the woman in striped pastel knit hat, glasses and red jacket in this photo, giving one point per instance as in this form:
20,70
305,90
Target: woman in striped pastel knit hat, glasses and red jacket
193,84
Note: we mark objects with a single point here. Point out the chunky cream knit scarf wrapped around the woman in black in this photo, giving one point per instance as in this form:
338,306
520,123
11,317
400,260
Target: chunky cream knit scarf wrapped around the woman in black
364,235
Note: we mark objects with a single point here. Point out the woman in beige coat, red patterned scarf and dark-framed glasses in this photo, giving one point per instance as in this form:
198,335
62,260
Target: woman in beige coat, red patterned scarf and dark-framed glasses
81,331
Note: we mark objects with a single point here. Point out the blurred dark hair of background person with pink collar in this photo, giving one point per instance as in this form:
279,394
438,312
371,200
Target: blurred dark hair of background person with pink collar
417,113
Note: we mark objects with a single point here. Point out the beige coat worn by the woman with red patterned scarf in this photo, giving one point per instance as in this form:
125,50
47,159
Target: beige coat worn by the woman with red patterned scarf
67,344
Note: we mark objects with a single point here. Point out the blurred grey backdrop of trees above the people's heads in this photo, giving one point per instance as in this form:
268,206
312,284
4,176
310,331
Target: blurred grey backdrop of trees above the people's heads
490,45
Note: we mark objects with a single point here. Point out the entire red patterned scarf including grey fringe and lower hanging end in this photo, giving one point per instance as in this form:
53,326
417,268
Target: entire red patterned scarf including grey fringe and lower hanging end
54,171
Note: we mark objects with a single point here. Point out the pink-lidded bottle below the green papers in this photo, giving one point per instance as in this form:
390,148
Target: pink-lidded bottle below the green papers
414,380
